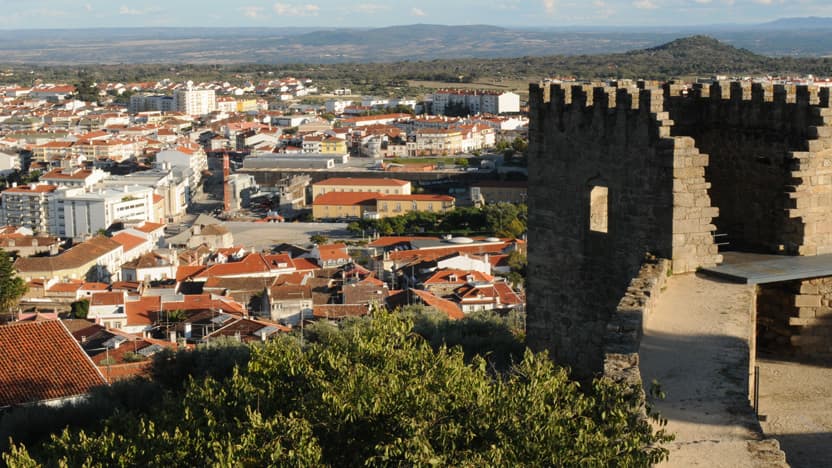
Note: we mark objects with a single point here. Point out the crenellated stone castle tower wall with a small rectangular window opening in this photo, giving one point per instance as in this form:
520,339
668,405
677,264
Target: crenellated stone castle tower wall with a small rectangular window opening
581,138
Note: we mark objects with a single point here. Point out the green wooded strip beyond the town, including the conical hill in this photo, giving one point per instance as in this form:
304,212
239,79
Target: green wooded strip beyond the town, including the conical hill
692,56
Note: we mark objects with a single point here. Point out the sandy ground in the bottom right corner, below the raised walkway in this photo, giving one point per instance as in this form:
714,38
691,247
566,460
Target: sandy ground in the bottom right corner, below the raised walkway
797,403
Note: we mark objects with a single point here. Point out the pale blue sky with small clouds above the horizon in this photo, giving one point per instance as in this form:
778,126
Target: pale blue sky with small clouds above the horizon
29,14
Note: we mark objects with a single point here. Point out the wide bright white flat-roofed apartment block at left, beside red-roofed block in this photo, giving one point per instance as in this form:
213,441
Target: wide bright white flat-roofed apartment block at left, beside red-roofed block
80,213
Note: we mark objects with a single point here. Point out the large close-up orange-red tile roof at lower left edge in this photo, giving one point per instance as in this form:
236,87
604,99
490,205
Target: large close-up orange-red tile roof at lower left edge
42,361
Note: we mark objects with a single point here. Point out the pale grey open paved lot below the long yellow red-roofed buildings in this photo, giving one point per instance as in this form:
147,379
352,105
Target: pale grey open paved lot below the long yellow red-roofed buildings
261,236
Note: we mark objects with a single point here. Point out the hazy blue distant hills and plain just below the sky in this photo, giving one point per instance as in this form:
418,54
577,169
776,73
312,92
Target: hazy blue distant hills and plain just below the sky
786,37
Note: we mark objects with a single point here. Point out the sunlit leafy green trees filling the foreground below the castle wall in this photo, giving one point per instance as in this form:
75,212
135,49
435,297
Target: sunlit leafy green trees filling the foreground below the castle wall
371,393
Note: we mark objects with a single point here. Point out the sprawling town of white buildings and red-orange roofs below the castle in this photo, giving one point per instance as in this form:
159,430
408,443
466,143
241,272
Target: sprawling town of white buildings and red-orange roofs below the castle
225,205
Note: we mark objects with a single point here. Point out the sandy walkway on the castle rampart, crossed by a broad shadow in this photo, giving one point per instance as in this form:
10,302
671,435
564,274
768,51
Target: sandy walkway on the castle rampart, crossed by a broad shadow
695,345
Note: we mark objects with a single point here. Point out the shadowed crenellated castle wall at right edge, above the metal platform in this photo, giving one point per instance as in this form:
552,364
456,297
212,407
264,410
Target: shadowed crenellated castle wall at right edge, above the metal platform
769,167
